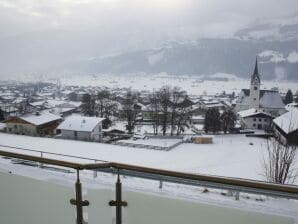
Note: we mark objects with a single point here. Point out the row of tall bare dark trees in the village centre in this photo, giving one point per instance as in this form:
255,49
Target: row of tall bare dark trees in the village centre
167,108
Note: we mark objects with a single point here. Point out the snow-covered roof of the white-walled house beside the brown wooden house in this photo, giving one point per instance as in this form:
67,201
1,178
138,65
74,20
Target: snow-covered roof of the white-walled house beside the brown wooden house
80,123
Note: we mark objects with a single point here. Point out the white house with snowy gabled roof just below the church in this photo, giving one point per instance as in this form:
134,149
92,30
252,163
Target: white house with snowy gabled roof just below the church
255,119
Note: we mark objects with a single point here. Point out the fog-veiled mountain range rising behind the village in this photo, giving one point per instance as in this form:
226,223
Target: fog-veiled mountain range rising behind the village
275,41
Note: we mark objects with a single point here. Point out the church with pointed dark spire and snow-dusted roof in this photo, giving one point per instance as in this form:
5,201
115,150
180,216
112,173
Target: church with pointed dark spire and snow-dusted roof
267,101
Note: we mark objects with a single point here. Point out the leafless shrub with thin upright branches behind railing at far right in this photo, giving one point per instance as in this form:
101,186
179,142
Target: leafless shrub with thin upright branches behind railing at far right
278,162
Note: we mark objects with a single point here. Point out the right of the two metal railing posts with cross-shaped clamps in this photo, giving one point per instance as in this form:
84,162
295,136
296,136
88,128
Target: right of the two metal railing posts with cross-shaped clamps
118,203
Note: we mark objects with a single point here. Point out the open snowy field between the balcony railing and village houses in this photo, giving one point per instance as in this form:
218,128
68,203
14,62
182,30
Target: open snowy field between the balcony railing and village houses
230,155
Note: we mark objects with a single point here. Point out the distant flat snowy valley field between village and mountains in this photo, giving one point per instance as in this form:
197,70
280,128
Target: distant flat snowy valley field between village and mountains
194,85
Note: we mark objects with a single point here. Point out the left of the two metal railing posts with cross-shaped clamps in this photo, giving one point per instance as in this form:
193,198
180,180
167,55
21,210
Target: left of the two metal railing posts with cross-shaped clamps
78,202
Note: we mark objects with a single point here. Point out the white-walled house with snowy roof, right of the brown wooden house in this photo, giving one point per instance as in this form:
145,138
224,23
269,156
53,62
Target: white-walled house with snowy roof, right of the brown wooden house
81,128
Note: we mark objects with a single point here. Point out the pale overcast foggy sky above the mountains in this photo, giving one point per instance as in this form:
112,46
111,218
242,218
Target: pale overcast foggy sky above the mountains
35,34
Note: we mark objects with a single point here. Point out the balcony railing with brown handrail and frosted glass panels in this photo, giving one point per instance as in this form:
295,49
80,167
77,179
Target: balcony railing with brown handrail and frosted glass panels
123,205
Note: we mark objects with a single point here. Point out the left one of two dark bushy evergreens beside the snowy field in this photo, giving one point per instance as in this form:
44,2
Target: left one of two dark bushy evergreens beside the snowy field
212,120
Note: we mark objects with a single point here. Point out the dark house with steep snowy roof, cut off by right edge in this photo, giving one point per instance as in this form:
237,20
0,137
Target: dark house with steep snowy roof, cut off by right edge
286,127
